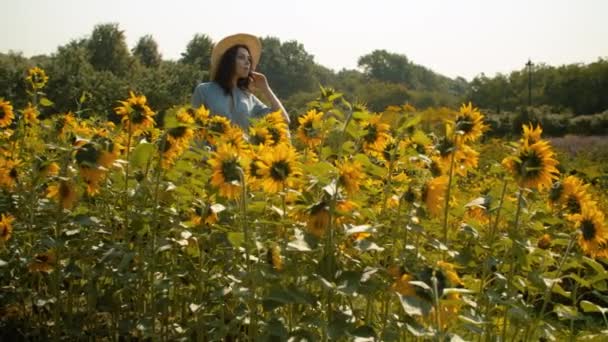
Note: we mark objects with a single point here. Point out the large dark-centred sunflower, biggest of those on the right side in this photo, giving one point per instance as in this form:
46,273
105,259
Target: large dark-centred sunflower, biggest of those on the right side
534,166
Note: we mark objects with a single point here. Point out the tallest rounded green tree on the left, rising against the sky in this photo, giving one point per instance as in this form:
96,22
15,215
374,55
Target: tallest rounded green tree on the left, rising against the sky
108,49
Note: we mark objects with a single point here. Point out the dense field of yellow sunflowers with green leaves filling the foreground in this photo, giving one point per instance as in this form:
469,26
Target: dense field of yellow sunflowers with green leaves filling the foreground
348,226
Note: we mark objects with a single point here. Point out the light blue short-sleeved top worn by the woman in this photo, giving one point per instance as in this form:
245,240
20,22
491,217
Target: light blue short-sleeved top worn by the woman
244,104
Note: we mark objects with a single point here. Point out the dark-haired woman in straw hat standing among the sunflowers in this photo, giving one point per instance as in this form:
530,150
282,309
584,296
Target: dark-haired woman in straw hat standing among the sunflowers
233,61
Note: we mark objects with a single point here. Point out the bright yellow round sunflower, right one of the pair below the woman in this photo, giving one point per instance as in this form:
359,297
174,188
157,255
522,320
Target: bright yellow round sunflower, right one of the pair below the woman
278,167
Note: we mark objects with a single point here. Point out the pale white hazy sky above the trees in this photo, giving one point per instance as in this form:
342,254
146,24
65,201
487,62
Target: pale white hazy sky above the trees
454,38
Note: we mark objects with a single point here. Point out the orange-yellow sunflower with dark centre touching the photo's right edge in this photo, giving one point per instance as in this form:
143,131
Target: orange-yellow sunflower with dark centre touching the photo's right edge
593,234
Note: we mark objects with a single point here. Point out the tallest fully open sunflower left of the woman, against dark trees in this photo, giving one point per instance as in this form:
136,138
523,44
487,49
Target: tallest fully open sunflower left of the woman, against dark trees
136,115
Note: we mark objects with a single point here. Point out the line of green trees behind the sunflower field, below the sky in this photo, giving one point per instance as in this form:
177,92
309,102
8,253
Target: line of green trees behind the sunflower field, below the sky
101,69
